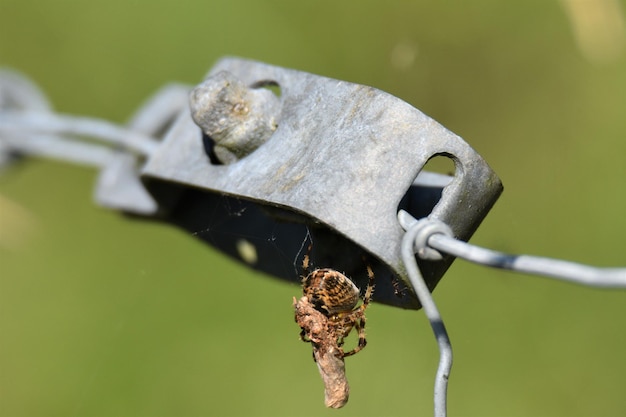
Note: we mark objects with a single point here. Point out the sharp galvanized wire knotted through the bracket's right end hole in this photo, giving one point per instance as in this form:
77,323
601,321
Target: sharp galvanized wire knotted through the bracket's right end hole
424,237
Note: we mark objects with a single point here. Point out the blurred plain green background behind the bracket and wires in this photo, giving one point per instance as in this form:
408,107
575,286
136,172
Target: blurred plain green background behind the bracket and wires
101,315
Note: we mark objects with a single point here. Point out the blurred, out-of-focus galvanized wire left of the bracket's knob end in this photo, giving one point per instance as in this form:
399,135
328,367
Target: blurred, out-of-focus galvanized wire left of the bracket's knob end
28,125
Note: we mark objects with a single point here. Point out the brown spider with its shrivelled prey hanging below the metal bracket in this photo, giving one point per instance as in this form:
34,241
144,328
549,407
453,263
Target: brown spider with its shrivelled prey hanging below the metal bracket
326,314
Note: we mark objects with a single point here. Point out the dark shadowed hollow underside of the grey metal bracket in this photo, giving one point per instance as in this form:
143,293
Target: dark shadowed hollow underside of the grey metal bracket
274,240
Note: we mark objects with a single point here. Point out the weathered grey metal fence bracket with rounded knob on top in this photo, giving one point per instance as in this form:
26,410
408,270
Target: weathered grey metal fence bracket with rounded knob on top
310,155
